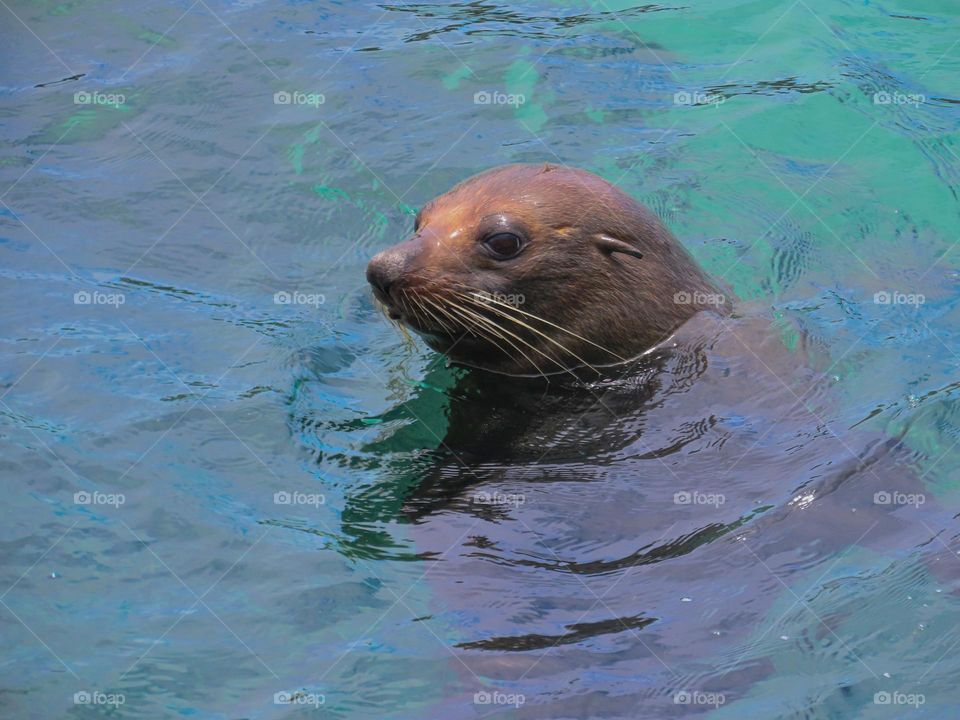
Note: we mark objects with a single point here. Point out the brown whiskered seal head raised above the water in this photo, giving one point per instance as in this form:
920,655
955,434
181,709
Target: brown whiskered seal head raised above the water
538,270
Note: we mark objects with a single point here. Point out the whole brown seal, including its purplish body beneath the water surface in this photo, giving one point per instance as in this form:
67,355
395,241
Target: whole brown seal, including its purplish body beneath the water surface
592,529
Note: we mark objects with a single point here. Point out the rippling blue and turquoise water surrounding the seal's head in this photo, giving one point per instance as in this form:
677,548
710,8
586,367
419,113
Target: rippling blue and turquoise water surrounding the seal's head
214,493
